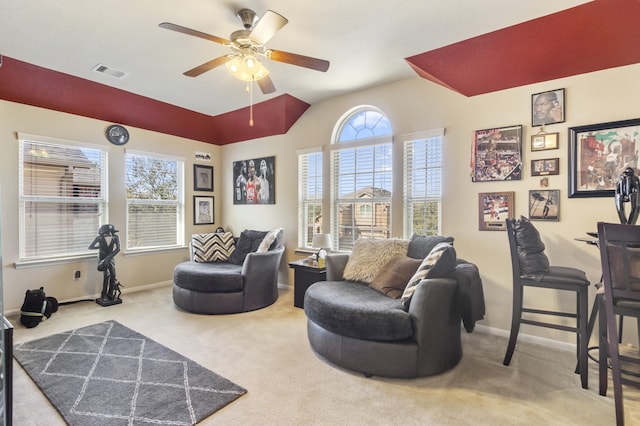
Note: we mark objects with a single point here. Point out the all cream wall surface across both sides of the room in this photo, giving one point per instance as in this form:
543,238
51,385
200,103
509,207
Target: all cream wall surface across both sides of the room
412,105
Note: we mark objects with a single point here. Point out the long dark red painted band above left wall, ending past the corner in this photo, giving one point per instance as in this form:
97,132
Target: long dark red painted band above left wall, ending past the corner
32,85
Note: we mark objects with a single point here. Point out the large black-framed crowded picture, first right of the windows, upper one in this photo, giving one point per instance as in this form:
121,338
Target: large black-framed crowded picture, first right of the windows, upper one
497,154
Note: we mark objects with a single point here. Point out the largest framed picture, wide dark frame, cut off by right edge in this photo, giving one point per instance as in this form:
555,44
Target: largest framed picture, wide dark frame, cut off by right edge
598,154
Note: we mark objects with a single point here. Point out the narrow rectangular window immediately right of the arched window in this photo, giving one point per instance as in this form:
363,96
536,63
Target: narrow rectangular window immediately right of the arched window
423,183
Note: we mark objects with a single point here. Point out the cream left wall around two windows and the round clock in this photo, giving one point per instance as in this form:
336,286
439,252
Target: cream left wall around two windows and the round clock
132,270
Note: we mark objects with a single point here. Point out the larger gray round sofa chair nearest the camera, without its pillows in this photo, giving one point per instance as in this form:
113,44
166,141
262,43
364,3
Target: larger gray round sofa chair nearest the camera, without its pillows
357,327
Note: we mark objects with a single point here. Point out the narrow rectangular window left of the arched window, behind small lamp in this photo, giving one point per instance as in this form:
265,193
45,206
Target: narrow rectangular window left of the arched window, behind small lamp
309,197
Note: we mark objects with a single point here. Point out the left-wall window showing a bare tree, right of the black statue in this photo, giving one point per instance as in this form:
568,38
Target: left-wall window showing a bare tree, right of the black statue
155,206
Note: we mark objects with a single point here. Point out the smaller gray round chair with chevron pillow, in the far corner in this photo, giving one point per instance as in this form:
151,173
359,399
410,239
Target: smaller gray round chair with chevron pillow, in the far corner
243,276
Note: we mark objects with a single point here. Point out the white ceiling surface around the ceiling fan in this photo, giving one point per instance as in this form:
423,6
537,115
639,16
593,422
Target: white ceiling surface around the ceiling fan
365,41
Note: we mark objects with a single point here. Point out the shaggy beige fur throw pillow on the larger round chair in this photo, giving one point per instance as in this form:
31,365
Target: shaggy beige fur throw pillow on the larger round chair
369,255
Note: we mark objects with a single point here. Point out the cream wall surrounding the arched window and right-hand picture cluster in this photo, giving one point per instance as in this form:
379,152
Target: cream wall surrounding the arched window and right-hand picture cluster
415,104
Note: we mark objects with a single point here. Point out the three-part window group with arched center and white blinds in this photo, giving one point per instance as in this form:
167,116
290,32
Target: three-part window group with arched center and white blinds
356,198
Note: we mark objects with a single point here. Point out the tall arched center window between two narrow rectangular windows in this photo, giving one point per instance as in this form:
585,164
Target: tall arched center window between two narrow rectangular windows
362,177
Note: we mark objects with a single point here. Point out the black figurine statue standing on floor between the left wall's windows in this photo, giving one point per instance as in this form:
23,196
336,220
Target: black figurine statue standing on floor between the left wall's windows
108,242
